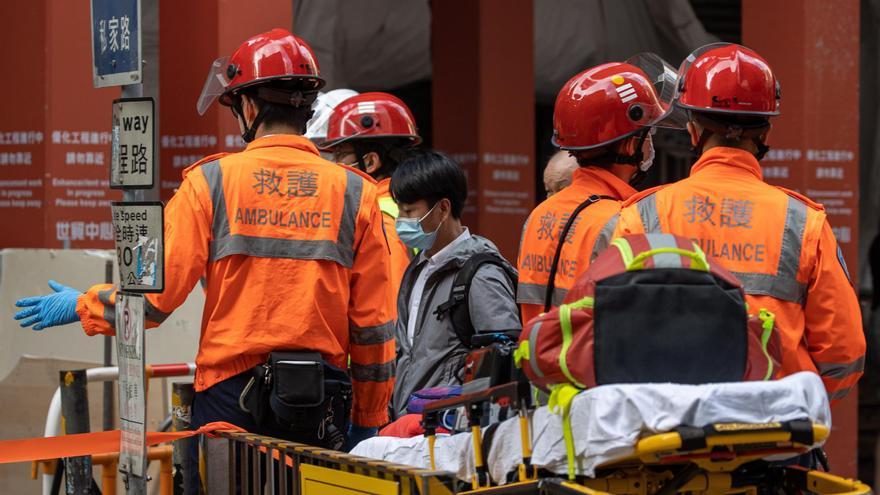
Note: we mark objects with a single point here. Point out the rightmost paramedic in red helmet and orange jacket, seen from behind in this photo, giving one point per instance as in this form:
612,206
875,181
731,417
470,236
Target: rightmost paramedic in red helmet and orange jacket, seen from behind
777,242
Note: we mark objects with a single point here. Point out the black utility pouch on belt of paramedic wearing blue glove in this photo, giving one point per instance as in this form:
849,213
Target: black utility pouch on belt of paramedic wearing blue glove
298,392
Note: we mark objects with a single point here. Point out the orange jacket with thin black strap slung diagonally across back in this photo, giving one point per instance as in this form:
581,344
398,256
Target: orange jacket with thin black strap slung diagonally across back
589,234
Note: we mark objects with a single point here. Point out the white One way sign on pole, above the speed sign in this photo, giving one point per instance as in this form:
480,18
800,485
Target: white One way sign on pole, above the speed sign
131,157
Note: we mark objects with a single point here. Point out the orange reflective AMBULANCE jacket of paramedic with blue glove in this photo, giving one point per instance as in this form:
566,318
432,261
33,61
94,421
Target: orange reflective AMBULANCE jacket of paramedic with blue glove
295,258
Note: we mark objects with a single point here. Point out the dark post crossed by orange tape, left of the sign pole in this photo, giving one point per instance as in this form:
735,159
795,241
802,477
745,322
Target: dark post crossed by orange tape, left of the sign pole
75,414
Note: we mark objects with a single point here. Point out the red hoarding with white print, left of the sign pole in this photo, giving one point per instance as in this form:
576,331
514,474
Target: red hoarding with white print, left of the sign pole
54,131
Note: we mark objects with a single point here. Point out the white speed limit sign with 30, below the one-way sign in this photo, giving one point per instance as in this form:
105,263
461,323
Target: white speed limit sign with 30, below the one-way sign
140,245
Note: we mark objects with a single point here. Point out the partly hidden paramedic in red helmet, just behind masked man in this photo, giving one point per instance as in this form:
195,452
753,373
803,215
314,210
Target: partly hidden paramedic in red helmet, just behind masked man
372,132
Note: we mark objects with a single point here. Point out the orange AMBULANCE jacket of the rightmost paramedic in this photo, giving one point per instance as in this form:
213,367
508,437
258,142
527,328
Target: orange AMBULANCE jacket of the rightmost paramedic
779,244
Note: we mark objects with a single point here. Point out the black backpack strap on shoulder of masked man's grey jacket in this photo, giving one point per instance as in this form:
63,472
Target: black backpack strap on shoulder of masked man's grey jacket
457,305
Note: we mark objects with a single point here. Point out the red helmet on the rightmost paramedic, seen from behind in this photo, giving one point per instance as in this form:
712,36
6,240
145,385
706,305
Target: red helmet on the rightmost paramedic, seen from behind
728,78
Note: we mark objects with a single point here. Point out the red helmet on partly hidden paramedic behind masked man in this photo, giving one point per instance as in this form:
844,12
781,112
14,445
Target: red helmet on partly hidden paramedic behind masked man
371,116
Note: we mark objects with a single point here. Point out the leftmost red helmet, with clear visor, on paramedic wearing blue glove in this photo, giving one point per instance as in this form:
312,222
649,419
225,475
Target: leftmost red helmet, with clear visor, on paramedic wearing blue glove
275,55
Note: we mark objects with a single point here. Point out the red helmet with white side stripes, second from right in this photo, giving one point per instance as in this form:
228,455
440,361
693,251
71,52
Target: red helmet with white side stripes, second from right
604,104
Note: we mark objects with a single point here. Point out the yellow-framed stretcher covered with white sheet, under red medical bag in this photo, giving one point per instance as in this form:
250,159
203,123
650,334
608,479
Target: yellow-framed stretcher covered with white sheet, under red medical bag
677,447
